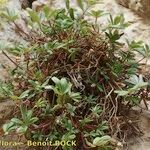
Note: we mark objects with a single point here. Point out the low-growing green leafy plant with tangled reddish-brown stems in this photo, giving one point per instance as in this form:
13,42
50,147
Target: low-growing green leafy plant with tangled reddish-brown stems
76,80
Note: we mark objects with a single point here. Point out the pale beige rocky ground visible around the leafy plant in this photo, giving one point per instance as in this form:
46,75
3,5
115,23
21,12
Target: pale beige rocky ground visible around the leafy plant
139,30
